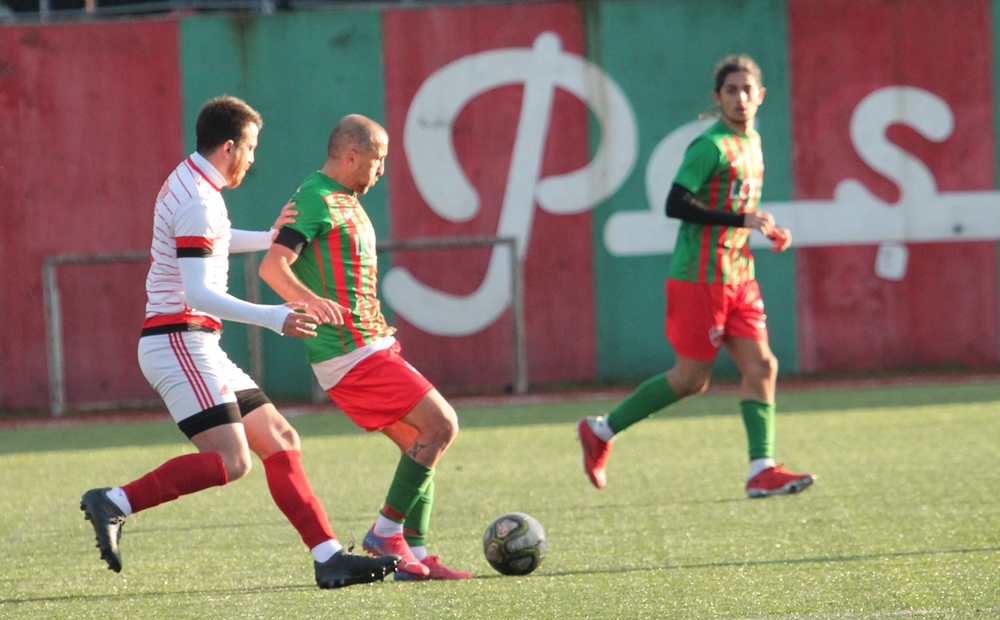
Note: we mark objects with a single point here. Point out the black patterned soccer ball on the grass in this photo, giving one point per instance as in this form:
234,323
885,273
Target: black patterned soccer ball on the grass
514,543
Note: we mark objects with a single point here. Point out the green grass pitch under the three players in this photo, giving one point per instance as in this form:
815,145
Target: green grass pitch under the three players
903,521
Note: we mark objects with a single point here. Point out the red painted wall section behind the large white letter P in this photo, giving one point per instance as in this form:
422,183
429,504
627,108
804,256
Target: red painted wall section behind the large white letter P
558,267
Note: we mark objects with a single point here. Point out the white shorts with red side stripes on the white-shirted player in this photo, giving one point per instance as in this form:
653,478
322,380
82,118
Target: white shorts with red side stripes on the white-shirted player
191,372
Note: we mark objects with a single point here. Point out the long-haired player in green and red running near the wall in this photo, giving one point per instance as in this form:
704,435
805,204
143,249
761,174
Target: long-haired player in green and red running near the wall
712,296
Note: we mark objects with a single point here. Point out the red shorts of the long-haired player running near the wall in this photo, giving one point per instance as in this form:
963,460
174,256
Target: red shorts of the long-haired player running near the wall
700,316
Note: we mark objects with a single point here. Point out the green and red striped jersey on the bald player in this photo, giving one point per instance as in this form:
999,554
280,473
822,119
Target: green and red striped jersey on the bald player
339,263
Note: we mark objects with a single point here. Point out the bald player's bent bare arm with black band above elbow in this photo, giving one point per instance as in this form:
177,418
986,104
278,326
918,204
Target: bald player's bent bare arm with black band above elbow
276,270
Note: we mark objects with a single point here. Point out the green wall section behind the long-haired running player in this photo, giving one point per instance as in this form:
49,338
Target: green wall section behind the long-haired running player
662,55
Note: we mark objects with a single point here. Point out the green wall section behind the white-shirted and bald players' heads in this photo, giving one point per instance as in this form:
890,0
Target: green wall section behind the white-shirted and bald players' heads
302,72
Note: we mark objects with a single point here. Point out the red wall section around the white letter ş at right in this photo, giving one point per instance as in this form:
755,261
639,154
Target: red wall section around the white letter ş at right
940,312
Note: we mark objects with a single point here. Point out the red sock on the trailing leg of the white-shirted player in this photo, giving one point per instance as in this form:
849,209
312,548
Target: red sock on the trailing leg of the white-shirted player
178,476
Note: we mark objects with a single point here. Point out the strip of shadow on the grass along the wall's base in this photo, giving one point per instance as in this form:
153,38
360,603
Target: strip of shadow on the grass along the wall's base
150,430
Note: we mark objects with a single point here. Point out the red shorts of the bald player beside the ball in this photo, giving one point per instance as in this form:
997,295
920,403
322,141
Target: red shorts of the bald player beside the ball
380,390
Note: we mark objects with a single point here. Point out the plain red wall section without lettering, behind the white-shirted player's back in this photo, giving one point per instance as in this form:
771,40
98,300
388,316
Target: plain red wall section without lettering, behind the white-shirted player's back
91,127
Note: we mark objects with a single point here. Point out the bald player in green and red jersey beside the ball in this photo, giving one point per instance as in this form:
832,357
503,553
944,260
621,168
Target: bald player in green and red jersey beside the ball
326,260
